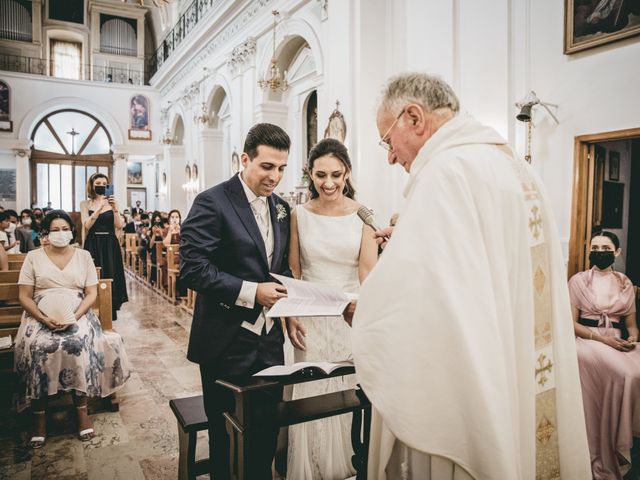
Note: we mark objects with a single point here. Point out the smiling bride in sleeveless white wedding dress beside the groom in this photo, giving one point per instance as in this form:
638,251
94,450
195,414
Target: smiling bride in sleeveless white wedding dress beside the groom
330,246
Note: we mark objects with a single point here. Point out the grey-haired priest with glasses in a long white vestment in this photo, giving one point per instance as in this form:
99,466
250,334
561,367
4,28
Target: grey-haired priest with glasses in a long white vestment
462,337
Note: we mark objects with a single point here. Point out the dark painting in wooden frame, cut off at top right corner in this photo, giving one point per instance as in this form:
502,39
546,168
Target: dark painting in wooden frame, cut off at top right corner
590,23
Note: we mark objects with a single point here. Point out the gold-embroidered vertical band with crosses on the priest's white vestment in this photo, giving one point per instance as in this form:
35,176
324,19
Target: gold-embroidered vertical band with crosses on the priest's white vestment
547,449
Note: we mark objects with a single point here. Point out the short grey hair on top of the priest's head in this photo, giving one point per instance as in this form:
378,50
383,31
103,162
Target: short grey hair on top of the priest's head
430,91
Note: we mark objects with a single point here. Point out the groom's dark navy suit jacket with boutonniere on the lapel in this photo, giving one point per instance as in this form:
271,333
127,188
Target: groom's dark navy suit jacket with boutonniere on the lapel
220,247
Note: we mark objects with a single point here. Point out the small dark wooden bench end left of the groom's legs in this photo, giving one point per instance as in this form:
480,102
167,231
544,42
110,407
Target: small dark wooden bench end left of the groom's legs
191,419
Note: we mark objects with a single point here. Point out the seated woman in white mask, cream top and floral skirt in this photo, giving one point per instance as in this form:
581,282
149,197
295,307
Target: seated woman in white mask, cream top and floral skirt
60,345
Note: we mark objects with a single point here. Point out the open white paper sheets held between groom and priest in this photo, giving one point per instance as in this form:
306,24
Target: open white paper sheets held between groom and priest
306,299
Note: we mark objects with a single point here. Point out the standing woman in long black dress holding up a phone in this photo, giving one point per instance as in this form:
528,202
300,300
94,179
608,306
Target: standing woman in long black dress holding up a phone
100,220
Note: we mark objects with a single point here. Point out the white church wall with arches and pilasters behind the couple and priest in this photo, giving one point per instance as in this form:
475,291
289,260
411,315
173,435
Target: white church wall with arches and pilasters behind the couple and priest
492,53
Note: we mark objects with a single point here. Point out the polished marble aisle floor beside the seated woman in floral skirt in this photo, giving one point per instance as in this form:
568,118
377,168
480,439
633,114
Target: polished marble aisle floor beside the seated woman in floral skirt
140,441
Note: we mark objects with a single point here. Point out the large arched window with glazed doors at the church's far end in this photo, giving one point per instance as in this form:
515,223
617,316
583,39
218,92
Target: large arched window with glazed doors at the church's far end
68,147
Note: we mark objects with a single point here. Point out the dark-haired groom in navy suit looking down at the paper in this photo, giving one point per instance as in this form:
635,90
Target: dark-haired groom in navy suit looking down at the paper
236,233
